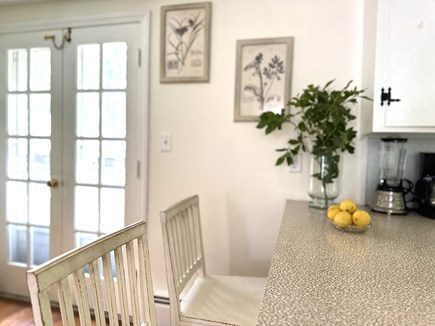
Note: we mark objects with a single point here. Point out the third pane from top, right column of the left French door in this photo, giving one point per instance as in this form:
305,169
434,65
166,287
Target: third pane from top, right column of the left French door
39,167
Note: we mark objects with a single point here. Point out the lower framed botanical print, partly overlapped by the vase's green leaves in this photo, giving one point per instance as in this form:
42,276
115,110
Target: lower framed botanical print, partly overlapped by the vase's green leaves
263,76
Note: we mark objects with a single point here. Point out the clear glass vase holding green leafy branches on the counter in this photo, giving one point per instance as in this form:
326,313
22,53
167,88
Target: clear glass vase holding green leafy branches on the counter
322,192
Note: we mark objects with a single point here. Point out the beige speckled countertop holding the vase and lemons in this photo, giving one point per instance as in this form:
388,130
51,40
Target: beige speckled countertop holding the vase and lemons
322,276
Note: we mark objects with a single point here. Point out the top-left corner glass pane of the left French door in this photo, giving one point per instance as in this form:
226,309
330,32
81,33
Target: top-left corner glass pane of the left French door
17,70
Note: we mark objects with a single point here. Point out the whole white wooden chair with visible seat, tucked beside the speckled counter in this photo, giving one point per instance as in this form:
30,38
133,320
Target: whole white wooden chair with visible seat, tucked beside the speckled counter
195,297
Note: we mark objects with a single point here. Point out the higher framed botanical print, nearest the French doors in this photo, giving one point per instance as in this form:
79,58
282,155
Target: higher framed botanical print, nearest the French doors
185,43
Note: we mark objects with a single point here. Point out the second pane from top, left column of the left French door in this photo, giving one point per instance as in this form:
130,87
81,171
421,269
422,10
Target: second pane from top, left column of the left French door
17,115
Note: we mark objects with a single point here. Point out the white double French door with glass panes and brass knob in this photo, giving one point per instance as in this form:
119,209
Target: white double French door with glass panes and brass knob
72,141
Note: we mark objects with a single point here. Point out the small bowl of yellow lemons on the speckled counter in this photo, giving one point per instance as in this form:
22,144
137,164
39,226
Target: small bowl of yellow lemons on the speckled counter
347,217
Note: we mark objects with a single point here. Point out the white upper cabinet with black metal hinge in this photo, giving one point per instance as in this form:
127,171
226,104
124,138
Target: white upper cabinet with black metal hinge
399,54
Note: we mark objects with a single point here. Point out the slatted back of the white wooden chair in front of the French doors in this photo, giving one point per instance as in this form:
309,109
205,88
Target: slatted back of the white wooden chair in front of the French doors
79,280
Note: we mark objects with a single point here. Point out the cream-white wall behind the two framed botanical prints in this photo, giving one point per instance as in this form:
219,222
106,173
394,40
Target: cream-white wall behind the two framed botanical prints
231,165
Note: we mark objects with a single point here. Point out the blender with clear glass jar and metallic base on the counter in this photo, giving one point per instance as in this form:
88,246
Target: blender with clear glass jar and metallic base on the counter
390,194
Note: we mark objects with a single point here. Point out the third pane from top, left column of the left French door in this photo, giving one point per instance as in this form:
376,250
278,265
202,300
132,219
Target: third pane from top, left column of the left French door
17,158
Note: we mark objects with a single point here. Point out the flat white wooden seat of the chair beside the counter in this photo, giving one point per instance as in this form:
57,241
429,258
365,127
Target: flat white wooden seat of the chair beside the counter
233,300
